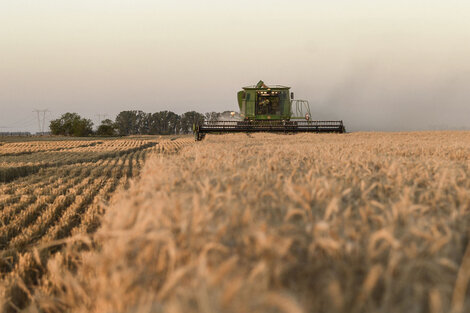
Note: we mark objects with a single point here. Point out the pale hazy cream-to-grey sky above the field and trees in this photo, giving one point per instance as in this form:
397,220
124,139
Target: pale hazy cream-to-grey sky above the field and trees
381,65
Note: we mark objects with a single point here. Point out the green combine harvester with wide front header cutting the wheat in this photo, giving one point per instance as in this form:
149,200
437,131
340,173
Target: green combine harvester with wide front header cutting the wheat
270,109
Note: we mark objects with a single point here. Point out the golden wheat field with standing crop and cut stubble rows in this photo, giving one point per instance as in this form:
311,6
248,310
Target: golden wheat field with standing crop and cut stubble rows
360,222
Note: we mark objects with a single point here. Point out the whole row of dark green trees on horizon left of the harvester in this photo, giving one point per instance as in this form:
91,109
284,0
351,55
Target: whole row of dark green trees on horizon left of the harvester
133,122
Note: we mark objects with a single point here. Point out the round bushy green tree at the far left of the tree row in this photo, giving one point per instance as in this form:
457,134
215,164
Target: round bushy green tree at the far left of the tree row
71,124
